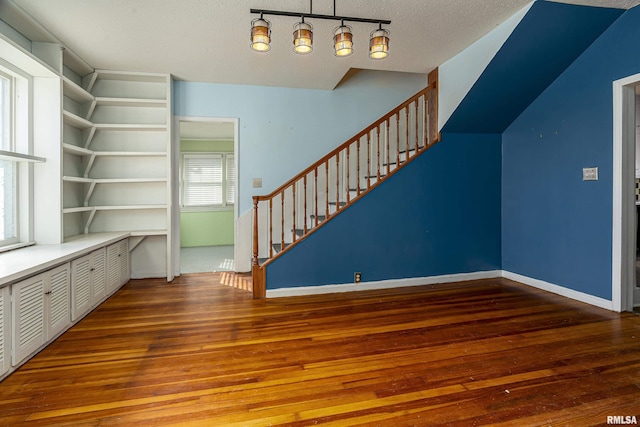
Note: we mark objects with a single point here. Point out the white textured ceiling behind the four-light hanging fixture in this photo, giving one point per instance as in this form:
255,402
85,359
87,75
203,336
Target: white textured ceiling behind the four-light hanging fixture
208,40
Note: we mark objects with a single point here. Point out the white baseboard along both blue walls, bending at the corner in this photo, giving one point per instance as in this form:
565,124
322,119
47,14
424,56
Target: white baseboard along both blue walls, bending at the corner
448,278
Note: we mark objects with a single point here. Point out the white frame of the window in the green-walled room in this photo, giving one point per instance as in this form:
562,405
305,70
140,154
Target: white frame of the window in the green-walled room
227,203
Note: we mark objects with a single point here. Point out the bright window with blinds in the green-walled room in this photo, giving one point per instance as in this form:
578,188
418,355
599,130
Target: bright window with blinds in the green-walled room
208,180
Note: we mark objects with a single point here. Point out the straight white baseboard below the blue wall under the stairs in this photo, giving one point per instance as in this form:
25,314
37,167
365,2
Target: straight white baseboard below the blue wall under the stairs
382,284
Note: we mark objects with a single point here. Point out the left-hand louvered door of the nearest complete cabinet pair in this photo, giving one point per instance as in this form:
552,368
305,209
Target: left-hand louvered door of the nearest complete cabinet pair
29,330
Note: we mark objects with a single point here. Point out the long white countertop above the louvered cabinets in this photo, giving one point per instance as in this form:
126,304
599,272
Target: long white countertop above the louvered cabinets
25,262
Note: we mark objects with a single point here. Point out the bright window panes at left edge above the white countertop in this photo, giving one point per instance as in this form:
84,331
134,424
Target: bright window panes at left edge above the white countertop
8,168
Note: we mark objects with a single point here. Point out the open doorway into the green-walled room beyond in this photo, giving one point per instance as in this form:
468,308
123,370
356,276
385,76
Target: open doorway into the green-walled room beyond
206,160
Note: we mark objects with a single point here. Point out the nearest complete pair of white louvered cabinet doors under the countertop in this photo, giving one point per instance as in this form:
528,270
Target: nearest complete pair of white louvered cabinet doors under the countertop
40,310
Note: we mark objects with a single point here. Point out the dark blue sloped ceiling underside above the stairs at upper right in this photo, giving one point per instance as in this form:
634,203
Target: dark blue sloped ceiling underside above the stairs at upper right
547,40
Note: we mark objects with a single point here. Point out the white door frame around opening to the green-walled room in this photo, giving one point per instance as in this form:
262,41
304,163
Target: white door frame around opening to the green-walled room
175,178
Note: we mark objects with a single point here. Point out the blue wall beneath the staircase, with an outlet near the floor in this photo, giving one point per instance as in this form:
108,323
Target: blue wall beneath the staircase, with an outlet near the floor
438,215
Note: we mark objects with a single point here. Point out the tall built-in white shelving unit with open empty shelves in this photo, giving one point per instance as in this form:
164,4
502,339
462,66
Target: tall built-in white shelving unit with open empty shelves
116,144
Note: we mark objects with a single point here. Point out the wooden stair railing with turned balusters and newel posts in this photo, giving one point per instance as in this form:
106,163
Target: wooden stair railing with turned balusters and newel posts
300,206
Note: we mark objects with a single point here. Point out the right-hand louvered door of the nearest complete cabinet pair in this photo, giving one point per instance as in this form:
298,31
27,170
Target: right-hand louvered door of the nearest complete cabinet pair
57,299
